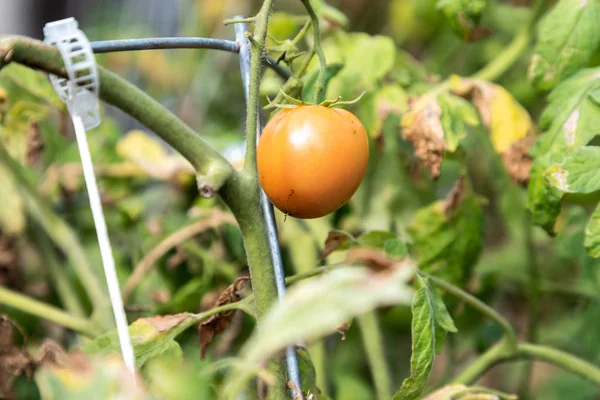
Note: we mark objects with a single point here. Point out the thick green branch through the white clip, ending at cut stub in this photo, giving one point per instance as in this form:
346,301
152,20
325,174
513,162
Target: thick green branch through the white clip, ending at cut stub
212,167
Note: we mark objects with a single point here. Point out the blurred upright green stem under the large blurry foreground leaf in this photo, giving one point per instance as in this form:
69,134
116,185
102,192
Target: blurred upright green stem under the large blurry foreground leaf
373,341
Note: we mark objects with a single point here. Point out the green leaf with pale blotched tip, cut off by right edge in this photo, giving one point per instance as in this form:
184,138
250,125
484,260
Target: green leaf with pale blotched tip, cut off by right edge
577,172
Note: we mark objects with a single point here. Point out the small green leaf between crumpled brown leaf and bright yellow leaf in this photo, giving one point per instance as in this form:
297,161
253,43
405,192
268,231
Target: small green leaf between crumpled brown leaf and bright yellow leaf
457,115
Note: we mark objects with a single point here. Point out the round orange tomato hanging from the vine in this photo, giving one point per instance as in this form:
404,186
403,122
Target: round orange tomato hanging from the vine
311,159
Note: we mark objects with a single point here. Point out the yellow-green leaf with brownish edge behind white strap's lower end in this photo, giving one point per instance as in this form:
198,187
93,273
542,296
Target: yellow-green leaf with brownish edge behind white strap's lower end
151,337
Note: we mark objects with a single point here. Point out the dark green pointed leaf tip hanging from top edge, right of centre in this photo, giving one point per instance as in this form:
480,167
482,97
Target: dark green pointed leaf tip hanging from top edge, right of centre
464,15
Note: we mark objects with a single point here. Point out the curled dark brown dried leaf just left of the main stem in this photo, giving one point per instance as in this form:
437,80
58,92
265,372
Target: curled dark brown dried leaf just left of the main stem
216,324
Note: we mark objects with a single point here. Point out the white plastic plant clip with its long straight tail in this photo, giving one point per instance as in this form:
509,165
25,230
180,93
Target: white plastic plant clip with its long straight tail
80,94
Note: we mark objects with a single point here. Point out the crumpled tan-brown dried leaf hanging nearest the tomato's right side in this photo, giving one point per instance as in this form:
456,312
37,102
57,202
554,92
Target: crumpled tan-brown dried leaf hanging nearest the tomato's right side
423,128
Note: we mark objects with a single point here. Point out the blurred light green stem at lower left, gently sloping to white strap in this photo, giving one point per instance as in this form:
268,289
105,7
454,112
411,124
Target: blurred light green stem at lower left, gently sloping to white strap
34,307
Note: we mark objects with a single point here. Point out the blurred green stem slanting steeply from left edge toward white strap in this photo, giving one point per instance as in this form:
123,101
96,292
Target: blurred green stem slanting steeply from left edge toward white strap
64,237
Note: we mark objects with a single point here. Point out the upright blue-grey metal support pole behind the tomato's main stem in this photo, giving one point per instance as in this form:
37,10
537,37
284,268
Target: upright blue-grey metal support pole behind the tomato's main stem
267,207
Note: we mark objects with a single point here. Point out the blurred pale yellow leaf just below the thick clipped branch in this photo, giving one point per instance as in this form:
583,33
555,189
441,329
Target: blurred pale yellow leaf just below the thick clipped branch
151,157
